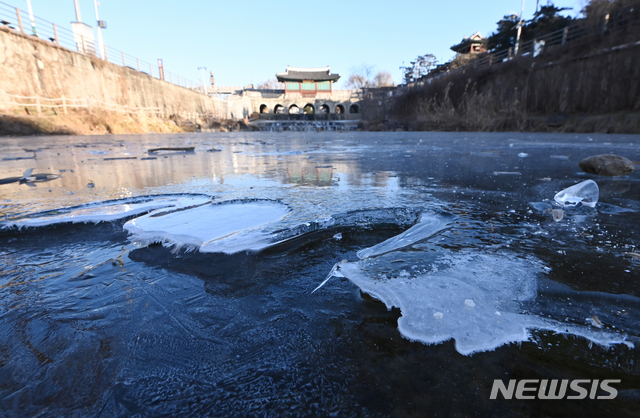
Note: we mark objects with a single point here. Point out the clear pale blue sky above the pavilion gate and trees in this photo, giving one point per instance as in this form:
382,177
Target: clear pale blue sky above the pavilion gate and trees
249,41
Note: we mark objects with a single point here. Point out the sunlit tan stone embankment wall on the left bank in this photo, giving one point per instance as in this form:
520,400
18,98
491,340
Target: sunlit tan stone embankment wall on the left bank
33,67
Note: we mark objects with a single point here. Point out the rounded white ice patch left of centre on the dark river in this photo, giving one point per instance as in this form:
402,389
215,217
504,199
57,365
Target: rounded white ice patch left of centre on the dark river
227,227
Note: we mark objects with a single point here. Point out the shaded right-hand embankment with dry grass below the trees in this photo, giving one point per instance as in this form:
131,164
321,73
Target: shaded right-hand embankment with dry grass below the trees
589,87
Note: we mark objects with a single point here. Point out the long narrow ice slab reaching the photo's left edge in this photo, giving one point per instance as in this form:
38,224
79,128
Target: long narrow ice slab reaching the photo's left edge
106,211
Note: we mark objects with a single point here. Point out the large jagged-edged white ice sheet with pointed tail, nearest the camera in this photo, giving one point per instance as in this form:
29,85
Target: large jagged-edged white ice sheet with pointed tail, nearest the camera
474,299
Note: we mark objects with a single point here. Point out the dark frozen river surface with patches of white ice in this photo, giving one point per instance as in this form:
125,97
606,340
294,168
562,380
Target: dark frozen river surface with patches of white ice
446,271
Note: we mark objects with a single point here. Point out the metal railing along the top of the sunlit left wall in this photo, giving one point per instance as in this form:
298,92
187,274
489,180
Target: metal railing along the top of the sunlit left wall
18,20
